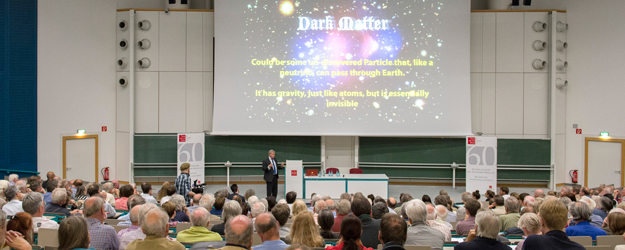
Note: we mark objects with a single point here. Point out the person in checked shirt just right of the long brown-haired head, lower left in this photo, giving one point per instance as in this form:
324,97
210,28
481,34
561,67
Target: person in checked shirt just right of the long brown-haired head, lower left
102,236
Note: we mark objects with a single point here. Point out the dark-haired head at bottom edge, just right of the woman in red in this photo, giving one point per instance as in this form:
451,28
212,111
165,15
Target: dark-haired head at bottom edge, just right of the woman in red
393,231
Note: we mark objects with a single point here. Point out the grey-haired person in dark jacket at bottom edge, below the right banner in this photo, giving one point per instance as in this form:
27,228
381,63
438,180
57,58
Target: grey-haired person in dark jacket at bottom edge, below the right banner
485,235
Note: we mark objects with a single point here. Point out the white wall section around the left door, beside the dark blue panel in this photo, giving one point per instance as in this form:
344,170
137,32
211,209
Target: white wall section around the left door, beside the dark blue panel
75,77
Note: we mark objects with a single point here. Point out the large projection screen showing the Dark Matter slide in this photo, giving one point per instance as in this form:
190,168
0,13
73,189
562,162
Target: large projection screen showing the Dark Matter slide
342,67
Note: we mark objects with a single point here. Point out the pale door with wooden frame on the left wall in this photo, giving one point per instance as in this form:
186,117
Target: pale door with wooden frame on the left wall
80,157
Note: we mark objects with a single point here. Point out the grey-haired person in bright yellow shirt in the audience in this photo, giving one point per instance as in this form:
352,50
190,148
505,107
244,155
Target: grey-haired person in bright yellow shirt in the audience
200,219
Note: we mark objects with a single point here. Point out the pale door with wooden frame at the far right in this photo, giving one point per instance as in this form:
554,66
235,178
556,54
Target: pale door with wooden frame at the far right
604,162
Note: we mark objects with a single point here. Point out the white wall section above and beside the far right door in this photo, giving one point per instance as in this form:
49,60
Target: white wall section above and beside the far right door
595,73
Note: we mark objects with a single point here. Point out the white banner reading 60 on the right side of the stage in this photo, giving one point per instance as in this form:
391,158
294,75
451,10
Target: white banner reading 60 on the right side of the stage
481,164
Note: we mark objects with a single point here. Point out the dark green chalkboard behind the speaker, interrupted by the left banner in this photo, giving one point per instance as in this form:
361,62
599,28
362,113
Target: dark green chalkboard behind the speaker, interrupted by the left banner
161,148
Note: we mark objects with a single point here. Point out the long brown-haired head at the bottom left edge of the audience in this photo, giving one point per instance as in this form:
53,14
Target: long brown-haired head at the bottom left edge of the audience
73,233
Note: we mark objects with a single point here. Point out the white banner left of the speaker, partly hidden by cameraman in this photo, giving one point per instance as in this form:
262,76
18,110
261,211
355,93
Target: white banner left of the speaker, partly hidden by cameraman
191,150
